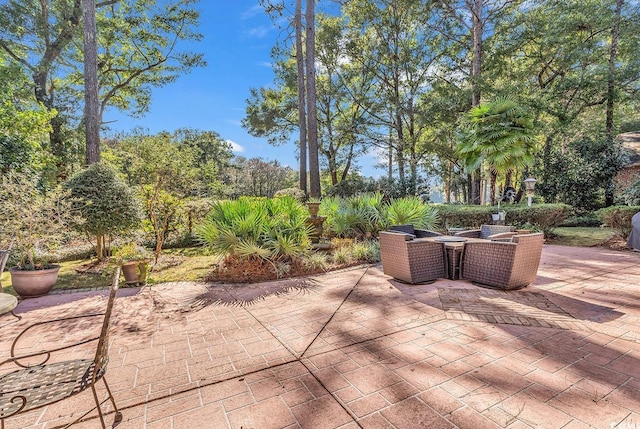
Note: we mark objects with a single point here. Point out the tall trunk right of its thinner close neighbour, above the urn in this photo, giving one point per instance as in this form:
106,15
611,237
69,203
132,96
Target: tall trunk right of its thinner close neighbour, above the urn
312,118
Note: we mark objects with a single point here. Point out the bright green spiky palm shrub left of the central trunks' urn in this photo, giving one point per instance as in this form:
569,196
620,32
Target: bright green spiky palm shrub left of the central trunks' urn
257,229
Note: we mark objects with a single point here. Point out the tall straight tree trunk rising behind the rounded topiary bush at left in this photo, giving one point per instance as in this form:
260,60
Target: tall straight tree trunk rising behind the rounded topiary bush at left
91,102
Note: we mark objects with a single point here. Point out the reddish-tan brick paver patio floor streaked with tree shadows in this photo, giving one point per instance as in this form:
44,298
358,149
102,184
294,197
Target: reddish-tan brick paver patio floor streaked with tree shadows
355,349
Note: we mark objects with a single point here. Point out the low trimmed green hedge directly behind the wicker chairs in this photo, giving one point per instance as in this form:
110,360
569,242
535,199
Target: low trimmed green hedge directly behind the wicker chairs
541,216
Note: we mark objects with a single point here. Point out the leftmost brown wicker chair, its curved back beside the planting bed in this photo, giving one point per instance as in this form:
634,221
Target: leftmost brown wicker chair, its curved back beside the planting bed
411,261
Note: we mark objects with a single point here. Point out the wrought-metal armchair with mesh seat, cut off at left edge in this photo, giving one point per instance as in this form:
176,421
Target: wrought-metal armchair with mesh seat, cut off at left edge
35,385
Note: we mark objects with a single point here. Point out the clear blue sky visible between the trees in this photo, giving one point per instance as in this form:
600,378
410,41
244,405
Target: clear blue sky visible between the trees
238,37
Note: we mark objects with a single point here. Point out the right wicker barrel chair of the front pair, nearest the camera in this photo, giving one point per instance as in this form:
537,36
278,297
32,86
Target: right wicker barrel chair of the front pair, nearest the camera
503,265
